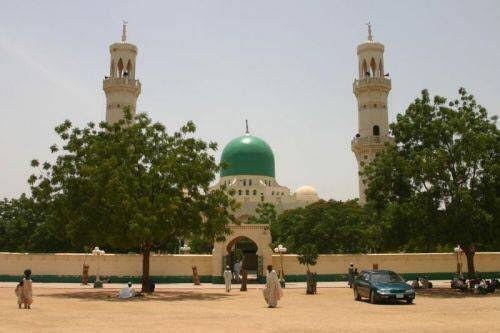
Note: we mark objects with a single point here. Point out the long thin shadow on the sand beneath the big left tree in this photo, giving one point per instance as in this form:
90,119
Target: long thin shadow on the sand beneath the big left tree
170,296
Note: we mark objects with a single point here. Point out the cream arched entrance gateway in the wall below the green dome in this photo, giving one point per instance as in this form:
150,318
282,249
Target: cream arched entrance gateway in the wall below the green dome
251,240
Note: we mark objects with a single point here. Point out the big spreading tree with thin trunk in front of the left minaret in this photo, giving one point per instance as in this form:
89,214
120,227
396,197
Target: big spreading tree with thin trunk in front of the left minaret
132,186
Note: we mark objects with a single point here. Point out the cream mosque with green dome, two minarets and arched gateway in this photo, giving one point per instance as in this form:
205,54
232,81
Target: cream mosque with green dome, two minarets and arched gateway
249,161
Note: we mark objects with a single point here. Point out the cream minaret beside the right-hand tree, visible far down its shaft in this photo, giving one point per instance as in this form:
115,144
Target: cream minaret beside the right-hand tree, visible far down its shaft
371,89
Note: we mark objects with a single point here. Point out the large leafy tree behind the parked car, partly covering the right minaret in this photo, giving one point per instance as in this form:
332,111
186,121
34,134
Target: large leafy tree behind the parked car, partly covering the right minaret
442,174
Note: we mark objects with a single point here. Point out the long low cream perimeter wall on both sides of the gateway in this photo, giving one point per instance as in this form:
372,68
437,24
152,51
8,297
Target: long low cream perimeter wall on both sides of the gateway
67,267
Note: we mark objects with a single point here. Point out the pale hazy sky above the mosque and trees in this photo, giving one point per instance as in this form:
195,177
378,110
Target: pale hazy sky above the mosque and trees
286,66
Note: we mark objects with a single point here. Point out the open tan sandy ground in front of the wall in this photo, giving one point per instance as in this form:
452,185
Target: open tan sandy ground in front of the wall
80,309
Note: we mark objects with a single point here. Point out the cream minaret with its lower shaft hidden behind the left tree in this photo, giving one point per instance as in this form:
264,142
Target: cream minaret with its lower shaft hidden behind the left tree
121,87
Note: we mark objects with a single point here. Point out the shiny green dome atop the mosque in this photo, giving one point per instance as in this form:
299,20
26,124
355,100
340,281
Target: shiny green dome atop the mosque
248,155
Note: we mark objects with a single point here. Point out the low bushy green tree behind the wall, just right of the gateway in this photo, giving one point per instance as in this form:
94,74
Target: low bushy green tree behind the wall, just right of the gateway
331,226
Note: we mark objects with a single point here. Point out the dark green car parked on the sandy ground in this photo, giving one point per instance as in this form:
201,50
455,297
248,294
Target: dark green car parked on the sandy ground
382,285
